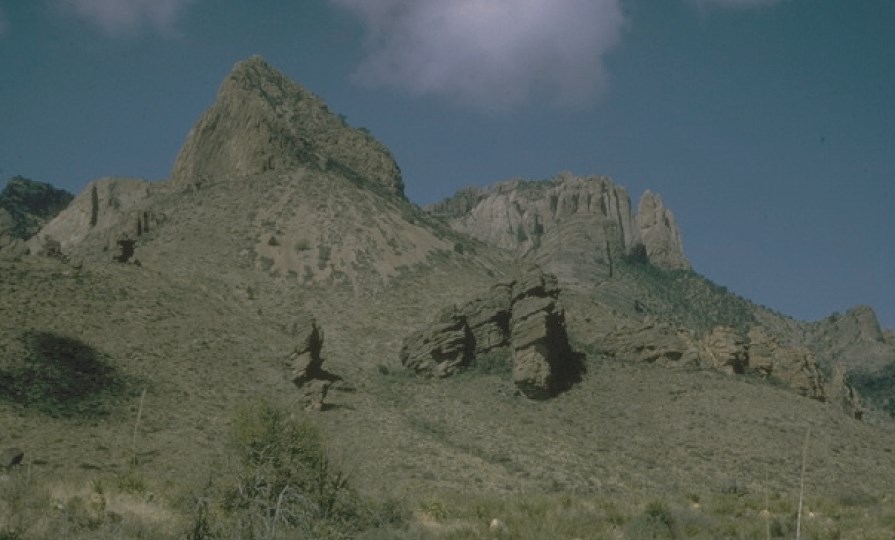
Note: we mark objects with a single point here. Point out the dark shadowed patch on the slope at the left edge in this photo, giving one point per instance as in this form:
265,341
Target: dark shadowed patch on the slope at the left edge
61,377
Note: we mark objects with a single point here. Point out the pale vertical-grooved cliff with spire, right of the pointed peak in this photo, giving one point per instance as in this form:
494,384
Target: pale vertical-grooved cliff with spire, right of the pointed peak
567,224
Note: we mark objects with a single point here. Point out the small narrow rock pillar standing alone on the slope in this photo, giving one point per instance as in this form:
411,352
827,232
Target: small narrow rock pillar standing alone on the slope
306,363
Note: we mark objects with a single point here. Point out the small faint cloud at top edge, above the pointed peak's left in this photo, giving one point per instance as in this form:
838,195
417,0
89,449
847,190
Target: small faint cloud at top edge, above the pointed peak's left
127,17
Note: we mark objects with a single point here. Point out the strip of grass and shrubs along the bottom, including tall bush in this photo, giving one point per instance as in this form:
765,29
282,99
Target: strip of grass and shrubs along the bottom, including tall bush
278,483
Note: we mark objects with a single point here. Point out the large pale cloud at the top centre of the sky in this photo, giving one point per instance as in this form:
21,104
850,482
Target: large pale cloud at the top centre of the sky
491,54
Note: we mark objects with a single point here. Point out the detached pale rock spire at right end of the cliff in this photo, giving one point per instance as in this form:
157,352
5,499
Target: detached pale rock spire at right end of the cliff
659,233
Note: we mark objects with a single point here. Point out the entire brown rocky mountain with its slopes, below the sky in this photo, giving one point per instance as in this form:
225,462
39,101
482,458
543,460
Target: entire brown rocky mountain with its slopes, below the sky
533,341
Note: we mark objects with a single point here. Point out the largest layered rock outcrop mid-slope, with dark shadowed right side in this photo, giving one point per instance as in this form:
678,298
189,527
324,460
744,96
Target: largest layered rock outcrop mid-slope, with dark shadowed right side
523,314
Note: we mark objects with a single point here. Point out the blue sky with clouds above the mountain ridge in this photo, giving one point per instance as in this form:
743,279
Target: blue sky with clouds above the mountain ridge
768,126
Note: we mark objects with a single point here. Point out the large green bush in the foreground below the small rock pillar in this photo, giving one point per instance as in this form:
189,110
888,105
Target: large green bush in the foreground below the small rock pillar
282,484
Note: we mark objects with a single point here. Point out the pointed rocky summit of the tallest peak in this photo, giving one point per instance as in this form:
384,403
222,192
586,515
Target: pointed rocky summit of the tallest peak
263,121
